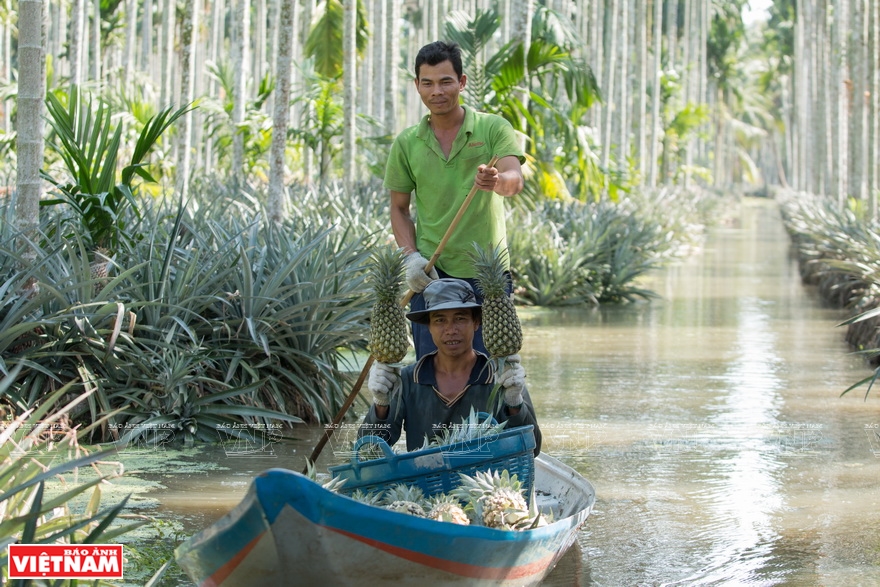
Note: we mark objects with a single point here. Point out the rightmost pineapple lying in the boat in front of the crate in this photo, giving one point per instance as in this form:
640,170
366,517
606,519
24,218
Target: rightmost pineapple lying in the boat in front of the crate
496,501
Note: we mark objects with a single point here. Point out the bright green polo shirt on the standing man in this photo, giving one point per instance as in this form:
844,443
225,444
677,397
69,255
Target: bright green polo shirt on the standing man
416,164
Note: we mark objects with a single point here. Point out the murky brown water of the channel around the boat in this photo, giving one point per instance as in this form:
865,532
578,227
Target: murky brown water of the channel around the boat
709,422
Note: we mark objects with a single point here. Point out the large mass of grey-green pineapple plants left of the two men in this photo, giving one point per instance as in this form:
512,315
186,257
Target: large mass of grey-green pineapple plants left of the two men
213,317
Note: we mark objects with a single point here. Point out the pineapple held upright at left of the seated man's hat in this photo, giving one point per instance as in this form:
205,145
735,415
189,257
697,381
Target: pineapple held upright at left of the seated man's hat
388,330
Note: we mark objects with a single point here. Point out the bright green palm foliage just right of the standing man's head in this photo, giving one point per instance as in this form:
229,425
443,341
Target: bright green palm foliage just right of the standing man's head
545,94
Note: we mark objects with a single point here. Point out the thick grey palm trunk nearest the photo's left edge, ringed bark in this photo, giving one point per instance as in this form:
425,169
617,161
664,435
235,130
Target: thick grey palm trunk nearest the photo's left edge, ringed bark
29,123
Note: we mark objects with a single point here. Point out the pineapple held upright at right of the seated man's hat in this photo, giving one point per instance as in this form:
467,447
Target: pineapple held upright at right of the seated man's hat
502,331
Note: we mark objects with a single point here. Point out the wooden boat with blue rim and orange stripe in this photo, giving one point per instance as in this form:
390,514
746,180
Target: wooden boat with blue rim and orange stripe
289,530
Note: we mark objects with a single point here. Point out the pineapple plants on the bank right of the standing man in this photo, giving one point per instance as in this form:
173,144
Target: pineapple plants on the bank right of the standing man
574,253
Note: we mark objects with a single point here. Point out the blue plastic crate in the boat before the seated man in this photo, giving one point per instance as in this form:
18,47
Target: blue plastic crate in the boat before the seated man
436,470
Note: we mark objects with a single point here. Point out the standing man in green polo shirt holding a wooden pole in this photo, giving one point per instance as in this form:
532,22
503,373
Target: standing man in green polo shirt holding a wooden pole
439,160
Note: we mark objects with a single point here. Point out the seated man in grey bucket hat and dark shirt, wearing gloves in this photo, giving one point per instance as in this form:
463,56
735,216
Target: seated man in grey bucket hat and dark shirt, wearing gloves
439,390
